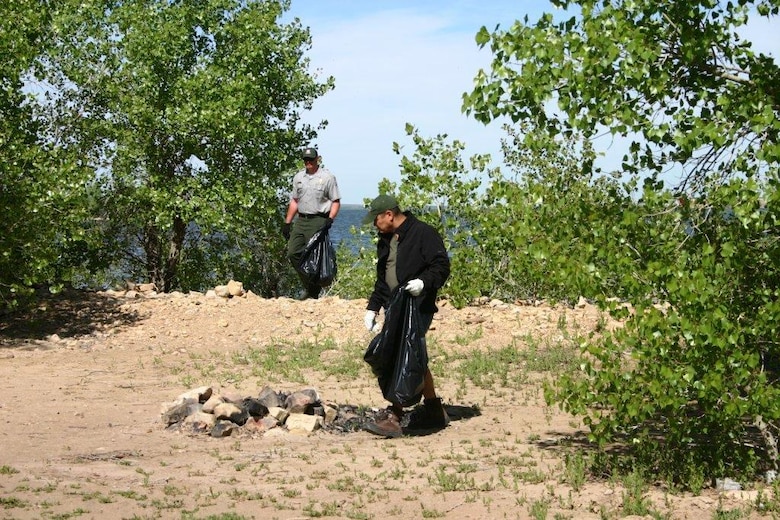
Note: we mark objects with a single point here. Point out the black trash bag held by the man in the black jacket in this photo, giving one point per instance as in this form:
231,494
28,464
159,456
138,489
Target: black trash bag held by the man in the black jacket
397,355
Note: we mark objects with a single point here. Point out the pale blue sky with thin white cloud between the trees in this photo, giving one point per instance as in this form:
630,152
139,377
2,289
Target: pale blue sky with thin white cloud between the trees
409,61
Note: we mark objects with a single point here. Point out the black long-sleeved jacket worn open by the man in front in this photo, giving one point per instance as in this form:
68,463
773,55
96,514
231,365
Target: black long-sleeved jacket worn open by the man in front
421,254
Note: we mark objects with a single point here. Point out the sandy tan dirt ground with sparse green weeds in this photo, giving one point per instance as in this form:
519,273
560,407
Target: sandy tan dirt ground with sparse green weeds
82,380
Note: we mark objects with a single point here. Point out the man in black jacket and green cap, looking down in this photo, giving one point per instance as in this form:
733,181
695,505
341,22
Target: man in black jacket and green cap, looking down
410,253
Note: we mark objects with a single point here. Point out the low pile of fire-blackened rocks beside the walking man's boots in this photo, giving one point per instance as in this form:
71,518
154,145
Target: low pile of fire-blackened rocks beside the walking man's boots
202,411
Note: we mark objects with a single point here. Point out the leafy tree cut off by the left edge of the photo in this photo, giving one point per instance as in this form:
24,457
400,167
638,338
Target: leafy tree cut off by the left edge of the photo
40,187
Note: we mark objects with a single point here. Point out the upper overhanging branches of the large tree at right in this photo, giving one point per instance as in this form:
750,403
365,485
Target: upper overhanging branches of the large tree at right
675,78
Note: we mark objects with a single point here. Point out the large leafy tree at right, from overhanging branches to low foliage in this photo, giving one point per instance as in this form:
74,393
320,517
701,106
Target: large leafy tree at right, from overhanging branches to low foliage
692,374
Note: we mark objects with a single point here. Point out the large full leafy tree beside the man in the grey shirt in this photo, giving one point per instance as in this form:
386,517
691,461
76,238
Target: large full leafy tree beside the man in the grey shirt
189,113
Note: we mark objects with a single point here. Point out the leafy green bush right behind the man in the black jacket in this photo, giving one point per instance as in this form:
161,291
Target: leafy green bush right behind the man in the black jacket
504,230
